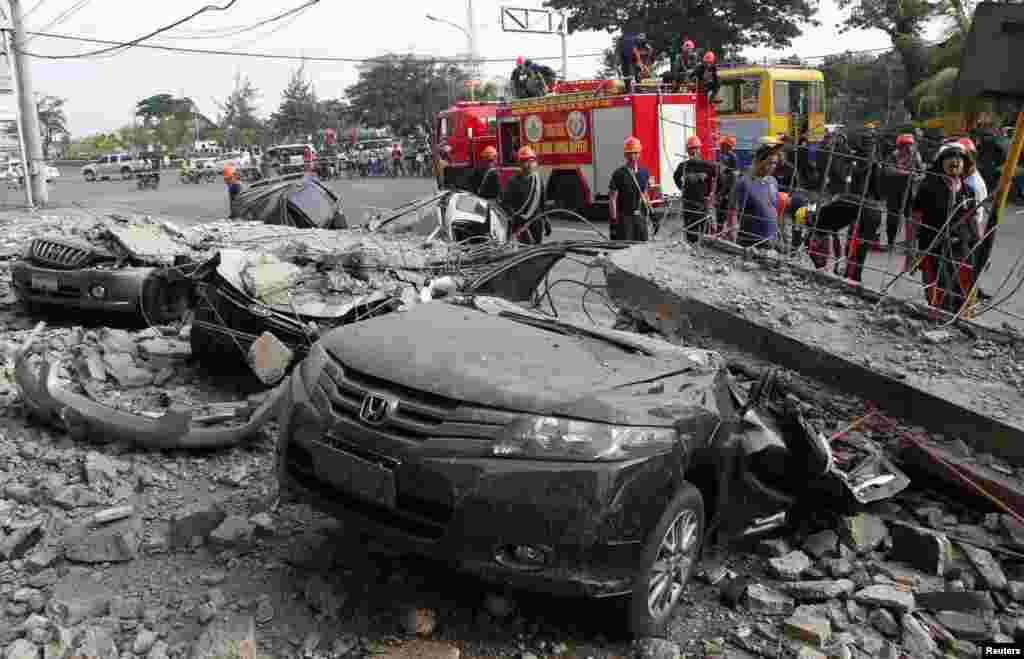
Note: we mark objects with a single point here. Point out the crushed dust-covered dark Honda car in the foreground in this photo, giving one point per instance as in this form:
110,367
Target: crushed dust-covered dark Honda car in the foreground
549,456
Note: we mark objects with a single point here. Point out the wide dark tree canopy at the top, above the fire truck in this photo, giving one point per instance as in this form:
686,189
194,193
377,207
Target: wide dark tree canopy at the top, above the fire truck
726,28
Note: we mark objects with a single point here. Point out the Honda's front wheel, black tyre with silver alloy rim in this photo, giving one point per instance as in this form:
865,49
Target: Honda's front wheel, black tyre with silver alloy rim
669,560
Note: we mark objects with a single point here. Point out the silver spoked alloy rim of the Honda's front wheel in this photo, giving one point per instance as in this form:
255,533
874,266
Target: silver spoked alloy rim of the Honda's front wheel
672,565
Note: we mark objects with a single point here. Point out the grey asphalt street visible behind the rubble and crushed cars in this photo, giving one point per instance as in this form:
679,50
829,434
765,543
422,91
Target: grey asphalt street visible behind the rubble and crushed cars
206,202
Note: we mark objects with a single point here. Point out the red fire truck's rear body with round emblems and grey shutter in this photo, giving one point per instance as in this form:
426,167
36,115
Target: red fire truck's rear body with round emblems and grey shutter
579,137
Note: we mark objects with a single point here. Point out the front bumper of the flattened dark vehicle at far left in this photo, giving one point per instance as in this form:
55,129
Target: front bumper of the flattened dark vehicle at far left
87,289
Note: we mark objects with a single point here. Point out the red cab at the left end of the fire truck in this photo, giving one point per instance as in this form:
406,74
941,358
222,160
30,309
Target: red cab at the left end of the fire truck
468,128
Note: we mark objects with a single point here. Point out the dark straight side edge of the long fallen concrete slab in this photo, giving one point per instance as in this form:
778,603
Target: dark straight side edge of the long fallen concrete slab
676,315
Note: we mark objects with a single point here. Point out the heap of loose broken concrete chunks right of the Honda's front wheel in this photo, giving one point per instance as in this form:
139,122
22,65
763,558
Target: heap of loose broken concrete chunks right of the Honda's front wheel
888,583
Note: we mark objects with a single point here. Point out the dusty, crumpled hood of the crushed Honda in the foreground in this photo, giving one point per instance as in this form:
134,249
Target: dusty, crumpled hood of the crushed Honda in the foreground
485,360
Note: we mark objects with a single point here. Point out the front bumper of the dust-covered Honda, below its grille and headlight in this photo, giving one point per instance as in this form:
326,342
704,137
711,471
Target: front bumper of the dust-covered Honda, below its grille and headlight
569,529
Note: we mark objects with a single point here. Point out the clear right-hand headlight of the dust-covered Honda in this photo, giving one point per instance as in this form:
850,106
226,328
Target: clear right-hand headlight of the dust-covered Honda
554,438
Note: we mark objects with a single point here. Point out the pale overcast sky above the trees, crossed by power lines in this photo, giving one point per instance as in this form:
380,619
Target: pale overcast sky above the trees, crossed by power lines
102,93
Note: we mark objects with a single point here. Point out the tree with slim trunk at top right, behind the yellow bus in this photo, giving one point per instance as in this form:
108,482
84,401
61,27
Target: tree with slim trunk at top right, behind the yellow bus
905,22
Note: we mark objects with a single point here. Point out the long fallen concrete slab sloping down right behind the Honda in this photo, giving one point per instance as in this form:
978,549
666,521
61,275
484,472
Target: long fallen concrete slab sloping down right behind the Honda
670,286
